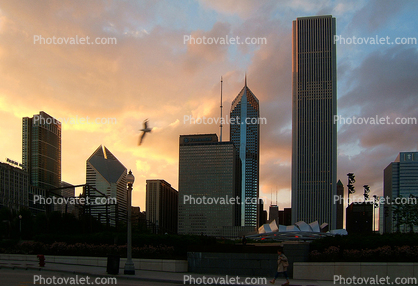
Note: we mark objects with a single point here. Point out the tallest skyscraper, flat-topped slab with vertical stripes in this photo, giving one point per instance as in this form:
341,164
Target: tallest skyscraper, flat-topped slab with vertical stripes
314,135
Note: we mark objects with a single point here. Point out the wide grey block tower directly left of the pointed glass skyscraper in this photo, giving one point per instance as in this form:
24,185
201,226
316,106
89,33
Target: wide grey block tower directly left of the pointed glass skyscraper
208,178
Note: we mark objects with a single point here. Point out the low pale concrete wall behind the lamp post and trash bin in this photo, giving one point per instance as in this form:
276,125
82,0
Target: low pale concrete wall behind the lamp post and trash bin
140,264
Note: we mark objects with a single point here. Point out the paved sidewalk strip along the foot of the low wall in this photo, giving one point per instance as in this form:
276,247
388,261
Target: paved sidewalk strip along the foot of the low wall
144,275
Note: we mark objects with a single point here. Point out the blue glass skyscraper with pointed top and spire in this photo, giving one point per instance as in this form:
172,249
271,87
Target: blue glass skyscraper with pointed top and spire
245,134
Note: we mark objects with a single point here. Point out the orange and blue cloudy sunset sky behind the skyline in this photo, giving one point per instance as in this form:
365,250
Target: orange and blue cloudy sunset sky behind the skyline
151,73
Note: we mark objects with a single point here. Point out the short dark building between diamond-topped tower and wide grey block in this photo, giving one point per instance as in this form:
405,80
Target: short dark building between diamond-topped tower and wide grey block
162,206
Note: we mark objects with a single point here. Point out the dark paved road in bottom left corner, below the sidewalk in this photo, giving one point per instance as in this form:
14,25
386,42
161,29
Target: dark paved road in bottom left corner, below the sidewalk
21,277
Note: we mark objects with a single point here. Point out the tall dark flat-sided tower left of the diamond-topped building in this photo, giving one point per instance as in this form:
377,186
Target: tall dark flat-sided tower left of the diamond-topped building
41,150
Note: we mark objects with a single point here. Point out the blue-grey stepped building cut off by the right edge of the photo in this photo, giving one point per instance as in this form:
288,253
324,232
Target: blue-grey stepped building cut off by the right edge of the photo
400,179
